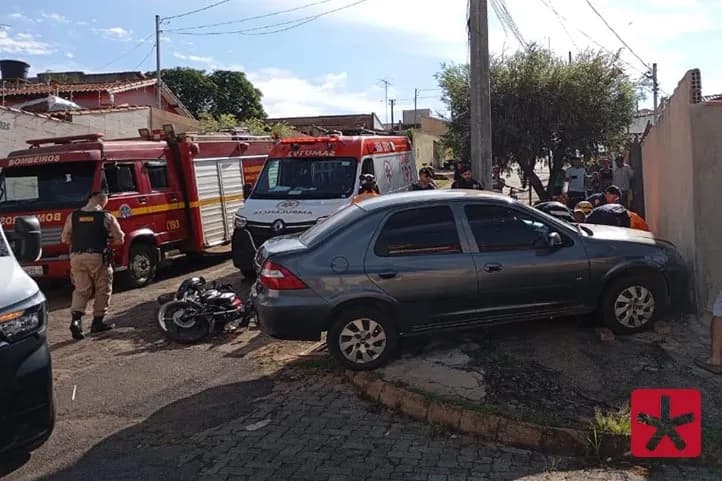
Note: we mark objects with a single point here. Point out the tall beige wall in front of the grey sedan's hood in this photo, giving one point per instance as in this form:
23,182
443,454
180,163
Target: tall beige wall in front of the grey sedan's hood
682,158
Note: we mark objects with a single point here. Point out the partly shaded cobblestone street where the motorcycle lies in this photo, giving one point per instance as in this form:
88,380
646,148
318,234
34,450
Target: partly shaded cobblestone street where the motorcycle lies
132,406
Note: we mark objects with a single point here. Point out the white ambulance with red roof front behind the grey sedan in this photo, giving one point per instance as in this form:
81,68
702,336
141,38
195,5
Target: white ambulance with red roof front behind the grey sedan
308,178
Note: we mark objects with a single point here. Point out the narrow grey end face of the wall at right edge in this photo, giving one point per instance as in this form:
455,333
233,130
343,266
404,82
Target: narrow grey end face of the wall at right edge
707,150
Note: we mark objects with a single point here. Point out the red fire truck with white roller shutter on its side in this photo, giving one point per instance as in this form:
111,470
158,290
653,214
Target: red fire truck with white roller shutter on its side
173,194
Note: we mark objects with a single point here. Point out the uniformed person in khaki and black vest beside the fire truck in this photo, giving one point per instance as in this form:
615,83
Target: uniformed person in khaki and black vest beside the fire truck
87,231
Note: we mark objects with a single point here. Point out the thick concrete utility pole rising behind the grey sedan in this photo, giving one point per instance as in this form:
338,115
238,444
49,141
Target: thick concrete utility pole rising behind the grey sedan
480,101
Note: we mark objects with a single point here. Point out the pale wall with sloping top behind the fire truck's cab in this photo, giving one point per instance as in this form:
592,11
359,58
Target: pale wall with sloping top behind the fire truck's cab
16,127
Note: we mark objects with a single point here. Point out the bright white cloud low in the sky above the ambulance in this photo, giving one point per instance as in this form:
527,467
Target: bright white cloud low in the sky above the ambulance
286,94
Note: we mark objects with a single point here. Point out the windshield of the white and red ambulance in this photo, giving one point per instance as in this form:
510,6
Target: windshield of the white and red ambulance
306,178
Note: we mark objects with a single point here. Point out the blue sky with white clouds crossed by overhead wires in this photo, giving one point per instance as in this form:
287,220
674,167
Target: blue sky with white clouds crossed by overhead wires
333,64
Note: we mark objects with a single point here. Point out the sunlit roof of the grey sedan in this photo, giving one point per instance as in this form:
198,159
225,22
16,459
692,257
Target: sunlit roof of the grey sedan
403,199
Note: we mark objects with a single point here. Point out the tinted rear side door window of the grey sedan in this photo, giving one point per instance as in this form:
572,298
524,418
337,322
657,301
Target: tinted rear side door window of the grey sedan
423,231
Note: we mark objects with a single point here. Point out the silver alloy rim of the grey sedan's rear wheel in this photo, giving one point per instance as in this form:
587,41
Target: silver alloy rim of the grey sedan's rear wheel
362,341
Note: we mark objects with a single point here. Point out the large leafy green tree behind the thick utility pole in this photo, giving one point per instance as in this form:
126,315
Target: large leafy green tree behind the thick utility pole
542,105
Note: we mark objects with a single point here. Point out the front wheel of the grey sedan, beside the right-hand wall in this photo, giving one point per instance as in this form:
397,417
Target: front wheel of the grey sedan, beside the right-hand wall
633,303
